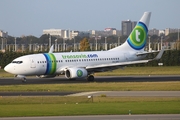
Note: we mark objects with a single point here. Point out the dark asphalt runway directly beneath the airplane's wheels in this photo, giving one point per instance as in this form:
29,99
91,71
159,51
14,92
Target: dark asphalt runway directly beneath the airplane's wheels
62,79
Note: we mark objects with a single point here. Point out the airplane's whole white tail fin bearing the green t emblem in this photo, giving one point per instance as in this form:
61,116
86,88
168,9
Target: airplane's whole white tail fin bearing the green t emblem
137,39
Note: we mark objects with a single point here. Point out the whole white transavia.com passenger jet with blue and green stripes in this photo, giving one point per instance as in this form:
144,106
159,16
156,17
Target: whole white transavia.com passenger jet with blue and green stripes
85,64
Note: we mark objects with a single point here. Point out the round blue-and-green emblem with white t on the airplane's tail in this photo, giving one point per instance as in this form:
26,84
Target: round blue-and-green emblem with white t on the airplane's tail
137,38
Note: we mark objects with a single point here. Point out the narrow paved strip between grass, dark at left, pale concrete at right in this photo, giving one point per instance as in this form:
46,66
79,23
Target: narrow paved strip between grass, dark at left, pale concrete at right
99,93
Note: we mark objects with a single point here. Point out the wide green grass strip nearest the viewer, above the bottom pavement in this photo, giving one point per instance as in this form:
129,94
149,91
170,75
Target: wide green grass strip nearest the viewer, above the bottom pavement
100,106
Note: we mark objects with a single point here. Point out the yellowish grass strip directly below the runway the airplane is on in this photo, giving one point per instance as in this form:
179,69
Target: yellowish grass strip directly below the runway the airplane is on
110,86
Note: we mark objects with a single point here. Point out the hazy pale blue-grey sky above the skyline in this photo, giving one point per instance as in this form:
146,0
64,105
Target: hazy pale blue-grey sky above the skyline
30,17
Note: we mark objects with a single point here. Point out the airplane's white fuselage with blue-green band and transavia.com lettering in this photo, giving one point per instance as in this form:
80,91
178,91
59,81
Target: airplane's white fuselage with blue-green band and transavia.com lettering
39,64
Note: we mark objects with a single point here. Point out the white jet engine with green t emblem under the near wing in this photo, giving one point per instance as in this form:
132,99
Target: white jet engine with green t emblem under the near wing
72,73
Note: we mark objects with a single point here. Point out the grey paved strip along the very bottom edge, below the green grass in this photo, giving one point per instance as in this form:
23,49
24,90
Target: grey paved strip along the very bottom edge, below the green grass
103,117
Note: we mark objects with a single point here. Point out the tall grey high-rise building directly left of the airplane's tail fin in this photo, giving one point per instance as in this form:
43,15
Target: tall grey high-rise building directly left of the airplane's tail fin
127,26
